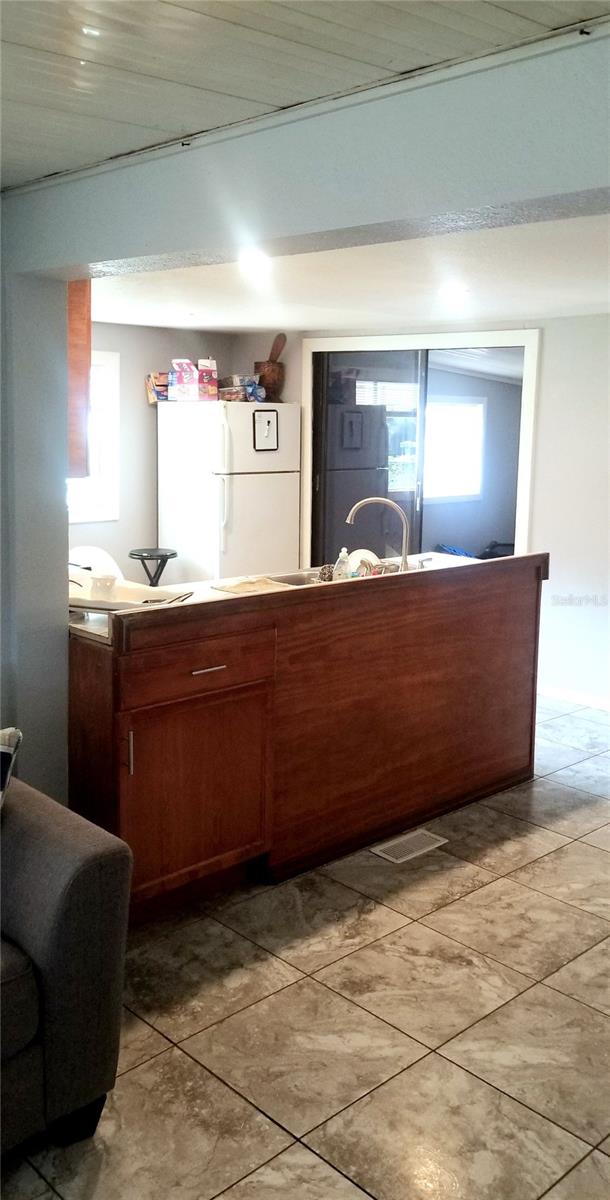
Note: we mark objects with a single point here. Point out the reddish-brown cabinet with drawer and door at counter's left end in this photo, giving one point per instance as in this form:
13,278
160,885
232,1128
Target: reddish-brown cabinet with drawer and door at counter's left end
171,749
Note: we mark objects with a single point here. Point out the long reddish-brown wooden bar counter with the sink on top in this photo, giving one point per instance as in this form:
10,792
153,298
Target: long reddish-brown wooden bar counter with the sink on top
307,722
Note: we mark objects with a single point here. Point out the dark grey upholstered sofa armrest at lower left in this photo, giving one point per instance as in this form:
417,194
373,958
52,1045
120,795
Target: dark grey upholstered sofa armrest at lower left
65,902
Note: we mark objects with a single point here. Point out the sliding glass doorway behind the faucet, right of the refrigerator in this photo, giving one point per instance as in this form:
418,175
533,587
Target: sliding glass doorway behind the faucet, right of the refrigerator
444,431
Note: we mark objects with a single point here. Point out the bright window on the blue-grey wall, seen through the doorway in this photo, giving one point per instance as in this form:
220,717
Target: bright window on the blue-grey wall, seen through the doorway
453,449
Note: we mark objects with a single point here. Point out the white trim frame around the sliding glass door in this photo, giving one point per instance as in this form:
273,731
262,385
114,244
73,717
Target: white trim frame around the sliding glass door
528,339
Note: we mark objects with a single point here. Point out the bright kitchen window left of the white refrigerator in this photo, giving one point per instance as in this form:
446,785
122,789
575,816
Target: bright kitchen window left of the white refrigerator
97,496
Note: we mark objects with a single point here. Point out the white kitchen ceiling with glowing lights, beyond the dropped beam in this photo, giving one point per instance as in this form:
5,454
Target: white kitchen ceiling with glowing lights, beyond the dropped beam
513,274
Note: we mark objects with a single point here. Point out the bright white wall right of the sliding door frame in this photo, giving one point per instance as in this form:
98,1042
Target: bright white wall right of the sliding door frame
571,508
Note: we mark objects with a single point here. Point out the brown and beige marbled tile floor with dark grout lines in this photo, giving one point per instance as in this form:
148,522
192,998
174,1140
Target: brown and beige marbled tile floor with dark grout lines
433,1031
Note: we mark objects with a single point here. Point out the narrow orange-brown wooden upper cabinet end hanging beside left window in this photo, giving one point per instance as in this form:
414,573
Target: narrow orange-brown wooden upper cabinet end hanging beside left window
79,370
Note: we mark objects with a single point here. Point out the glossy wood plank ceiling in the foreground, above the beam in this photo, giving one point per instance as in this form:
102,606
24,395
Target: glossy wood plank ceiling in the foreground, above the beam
85,81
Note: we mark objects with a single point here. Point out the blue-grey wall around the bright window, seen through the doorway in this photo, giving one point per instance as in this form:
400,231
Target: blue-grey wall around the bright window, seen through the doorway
475,523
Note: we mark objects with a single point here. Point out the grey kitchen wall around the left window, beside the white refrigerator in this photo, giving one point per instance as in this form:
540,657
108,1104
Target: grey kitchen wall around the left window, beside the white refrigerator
142,350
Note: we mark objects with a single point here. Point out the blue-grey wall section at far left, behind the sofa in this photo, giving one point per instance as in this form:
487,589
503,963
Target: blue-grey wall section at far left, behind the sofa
35,527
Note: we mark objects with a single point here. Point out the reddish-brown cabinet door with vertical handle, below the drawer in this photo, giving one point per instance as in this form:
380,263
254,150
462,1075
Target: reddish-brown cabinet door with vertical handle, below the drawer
194,785
